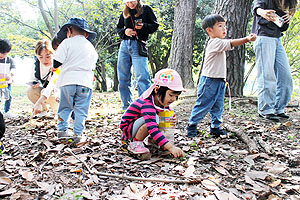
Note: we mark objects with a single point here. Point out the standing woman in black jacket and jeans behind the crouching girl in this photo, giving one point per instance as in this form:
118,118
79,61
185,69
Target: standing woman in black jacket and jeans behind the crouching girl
136,22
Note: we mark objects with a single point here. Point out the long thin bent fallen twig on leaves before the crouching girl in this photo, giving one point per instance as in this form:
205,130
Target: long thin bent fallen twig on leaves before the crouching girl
132,178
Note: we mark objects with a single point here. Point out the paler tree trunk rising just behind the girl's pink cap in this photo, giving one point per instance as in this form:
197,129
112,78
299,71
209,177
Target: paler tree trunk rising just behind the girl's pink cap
181,58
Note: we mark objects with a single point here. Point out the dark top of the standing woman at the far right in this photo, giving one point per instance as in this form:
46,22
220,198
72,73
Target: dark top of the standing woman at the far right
263,27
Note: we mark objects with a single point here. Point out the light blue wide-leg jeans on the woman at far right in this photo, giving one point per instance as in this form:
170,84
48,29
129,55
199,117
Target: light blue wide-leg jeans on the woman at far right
275,83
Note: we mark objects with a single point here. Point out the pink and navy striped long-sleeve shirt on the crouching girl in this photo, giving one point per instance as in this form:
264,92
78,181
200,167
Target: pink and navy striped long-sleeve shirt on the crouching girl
142,108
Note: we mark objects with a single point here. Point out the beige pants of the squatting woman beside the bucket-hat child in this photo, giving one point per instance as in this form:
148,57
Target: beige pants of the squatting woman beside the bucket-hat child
34,94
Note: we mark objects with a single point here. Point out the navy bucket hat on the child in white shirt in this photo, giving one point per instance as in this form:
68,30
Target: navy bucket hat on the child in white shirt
78,22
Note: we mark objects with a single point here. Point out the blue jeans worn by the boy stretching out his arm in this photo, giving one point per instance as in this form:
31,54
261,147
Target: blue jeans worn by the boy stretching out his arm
210,94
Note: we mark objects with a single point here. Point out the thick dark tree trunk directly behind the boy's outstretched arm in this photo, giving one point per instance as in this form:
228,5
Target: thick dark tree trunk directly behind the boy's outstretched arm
237,14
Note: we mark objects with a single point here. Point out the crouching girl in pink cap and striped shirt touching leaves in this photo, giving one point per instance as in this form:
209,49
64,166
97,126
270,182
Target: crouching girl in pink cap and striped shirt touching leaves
141,118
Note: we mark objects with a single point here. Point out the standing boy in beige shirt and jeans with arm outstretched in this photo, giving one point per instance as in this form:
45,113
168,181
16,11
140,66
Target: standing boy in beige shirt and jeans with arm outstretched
211,88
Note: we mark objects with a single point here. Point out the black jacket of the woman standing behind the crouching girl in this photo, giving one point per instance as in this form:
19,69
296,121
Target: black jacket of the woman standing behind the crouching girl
148,18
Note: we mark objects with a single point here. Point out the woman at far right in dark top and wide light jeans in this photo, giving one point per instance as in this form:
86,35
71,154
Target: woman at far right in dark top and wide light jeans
275,84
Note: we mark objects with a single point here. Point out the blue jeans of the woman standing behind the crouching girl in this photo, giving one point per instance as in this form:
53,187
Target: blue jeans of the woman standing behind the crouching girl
129,56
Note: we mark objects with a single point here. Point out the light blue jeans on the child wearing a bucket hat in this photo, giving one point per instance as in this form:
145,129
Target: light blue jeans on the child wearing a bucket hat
74,98
